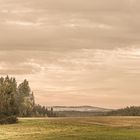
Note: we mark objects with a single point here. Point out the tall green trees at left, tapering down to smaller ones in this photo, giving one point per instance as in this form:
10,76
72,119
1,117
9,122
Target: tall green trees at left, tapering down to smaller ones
19,100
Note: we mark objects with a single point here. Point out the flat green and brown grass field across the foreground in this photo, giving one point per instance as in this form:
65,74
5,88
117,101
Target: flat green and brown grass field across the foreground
94,128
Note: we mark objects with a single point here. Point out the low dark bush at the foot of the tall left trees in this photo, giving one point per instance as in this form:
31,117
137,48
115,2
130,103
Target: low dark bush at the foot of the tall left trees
8,120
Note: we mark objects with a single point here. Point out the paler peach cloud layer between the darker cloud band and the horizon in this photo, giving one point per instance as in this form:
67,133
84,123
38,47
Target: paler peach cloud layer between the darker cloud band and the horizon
95,74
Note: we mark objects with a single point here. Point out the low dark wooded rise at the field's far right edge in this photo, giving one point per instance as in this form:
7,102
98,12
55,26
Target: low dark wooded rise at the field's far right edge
128,111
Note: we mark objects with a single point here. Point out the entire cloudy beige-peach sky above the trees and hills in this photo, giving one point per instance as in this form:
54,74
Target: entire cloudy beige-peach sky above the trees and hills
73,52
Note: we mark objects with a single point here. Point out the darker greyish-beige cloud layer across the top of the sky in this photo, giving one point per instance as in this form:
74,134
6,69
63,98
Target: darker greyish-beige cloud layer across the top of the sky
91,24
